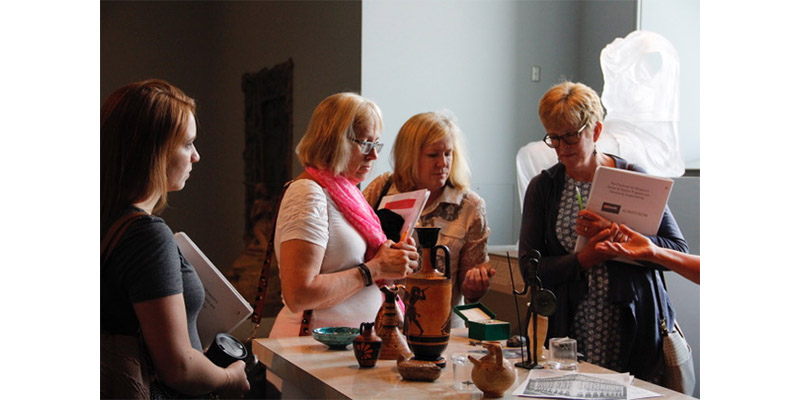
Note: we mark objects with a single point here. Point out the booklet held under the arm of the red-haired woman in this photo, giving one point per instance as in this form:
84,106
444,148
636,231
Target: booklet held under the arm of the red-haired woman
224,308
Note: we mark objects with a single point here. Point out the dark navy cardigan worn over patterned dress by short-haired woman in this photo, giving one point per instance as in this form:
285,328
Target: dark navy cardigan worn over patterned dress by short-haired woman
631,287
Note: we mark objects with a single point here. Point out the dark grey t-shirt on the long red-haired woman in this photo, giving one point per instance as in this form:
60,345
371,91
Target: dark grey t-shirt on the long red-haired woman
146,265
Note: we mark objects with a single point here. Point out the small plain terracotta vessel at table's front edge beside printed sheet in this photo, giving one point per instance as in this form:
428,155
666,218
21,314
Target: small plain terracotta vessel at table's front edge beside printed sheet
492,374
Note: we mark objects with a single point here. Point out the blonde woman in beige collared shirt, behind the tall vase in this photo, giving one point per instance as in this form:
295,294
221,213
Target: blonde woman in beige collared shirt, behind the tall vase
428,153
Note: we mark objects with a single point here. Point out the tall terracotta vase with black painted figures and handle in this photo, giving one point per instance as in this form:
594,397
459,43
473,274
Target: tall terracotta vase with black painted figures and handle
427,300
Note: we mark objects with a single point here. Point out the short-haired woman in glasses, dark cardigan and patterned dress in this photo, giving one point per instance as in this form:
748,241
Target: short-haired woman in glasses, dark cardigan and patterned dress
607,305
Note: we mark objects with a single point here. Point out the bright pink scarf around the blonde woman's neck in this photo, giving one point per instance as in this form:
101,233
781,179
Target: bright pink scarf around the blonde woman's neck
354,206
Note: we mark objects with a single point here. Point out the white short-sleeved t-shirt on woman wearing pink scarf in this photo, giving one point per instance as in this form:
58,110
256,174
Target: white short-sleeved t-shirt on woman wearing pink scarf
307,212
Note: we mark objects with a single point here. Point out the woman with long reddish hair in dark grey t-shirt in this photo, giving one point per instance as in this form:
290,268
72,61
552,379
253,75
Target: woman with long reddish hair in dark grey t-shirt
147,288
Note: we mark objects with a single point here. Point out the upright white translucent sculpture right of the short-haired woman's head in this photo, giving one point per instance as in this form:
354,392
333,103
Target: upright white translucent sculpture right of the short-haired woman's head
640,95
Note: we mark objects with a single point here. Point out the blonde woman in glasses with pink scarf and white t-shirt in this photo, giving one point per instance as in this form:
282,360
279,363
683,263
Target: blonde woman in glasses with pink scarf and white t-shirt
328,240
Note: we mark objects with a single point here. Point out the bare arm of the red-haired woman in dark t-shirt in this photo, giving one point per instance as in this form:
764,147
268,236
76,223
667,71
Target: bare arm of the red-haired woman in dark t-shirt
177,363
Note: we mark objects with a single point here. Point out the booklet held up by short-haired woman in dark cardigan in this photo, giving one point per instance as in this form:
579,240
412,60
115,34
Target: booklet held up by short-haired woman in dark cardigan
626,197
